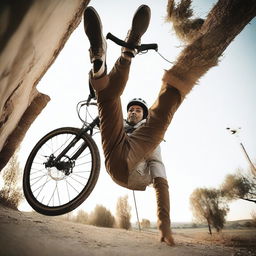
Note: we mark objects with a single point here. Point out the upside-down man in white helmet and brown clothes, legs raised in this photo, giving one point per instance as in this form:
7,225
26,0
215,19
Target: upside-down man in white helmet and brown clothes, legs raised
131,147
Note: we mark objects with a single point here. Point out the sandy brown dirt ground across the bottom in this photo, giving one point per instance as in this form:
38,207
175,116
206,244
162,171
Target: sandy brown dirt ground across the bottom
27,233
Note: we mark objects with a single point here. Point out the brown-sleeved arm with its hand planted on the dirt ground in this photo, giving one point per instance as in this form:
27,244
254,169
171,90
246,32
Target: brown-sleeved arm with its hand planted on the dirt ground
163,210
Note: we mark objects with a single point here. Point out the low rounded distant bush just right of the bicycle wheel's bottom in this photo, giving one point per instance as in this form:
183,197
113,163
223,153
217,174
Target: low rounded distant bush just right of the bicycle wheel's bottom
101,217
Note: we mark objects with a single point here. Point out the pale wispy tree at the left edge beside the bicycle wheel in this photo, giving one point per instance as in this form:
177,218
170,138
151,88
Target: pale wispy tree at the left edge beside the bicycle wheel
10,194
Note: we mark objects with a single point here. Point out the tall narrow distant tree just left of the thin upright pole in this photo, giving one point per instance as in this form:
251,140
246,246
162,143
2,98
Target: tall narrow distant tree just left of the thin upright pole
123,213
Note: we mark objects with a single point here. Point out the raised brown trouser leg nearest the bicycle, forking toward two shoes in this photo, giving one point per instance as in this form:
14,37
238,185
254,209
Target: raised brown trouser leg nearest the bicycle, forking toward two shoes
111,119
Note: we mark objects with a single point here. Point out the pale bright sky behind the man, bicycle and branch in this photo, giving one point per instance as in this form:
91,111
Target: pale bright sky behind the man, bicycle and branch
198,151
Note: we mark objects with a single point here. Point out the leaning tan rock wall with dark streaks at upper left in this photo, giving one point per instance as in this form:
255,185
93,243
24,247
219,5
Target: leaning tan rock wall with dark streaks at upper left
32,33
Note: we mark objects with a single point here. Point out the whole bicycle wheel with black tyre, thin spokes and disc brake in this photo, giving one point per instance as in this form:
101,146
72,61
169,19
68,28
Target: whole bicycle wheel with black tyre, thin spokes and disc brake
54,190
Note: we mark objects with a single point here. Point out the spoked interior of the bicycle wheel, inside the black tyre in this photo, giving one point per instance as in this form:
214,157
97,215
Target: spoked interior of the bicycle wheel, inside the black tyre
55,187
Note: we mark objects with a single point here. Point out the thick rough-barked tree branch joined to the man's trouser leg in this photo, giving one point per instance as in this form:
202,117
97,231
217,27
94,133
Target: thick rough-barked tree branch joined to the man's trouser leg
225,21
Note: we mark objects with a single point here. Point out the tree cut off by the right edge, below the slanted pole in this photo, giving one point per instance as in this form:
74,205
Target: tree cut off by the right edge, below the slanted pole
240,186
